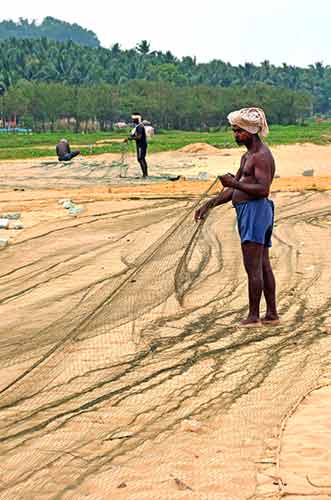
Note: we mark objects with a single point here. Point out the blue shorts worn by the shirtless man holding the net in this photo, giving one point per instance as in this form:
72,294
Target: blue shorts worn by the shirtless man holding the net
255,220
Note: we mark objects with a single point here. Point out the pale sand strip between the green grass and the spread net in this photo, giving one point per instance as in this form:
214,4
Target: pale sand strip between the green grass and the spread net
98,170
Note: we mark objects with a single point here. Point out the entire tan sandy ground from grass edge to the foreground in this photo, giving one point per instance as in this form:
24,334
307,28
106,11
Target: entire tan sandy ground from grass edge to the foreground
190,407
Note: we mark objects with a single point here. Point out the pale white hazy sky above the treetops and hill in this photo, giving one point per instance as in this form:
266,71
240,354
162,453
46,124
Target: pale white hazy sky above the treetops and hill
292,31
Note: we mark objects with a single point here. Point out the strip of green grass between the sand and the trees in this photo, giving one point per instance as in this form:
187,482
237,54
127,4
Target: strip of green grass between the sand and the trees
19,146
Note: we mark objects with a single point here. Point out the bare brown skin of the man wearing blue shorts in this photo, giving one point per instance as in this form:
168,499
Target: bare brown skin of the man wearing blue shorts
252,181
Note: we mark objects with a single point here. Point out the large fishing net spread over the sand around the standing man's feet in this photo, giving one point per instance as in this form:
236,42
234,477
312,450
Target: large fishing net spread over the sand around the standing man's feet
98,381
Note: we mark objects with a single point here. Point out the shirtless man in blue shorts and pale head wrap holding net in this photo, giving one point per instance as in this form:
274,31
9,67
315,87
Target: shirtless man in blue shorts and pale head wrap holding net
249,190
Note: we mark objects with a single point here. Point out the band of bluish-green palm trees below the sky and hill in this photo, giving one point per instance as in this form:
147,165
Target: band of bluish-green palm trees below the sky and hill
70,63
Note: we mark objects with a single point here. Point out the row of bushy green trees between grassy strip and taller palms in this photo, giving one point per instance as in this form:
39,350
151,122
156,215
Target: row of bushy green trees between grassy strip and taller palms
54,105
